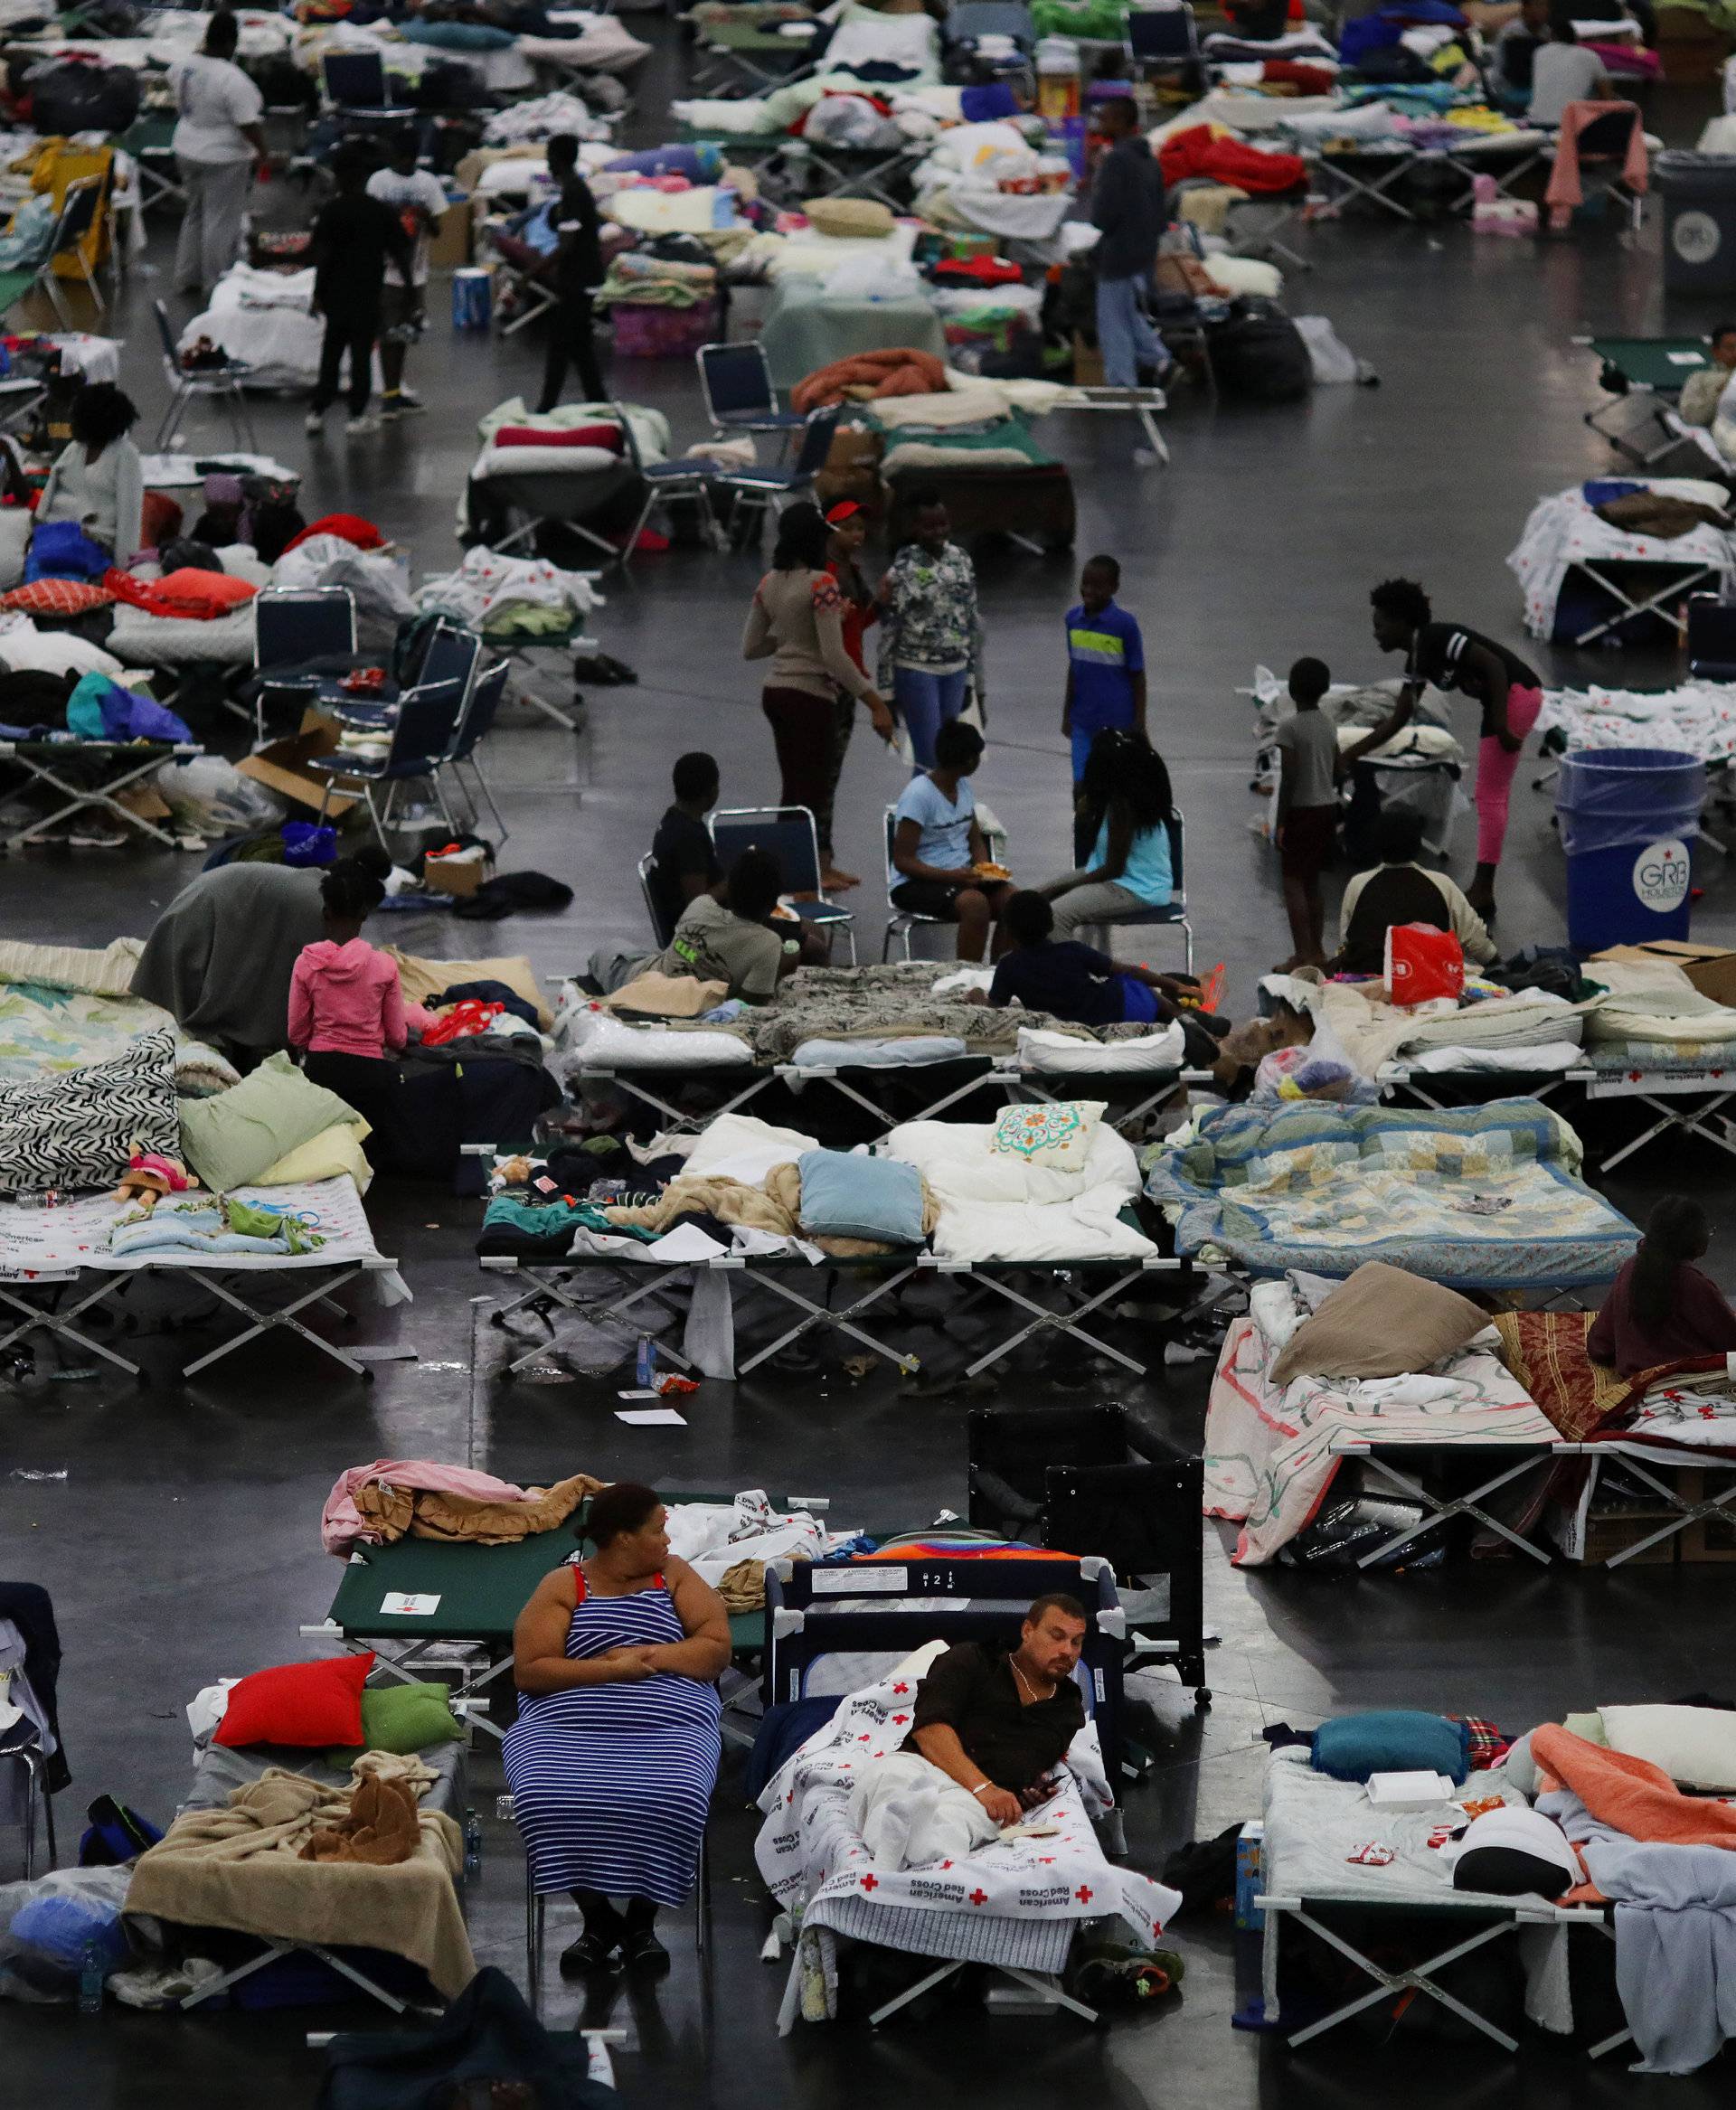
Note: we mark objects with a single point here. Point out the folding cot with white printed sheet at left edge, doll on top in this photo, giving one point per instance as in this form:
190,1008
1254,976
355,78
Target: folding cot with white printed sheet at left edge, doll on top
56,1267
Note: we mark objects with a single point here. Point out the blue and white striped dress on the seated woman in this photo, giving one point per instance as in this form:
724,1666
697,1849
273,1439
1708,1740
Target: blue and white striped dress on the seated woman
613,1784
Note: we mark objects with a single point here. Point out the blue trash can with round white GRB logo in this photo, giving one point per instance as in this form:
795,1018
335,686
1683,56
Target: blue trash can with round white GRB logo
1627,824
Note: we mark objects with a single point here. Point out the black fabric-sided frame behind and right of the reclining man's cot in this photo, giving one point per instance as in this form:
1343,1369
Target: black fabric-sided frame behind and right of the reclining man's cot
1094,1478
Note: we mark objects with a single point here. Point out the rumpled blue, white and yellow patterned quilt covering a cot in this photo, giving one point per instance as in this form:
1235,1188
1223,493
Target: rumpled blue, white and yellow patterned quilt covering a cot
1473,1197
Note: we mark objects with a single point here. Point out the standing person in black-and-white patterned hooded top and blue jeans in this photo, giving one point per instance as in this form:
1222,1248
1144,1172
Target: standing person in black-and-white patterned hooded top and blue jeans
931,634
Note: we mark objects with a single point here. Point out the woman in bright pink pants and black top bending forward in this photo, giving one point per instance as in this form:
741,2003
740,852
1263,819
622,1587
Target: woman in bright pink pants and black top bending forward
1507,693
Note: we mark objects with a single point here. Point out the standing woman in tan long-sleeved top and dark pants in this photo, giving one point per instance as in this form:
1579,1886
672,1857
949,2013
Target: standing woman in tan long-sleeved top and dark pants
798,624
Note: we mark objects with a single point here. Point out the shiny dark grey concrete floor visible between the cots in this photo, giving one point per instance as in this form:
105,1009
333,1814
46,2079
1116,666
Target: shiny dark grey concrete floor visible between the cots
1256,545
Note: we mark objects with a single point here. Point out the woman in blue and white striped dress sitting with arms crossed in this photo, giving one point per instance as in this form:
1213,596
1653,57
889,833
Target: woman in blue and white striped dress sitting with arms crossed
617,1744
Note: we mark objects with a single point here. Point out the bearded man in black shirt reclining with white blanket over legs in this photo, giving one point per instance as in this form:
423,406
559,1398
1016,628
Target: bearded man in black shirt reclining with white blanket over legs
988,1731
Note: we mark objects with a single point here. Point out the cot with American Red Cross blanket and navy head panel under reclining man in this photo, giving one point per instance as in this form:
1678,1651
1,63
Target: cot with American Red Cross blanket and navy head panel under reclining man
838,1628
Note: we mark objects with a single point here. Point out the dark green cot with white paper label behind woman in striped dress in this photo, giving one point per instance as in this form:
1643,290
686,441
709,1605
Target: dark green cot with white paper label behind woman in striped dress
465,1600
